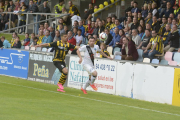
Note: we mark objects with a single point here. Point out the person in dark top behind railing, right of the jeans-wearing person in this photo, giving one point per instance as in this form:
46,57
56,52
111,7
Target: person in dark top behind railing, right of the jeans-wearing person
45,9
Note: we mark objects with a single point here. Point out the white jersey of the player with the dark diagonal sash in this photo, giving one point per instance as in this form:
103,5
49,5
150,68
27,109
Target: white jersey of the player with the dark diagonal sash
87,59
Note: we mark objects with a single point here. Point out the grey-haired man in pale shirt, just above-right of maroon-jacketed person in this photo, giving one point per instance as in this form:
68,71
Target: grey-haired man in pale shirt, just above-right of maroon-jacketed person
135,37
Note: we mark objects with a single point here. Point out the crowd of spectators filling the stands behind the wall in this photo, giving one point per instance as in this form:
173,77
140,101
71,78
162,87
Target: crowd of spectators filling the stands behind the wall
154,28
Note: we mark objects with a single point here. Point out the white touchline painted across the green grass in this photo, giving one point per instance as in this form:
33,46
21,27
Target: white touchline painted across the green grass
96,100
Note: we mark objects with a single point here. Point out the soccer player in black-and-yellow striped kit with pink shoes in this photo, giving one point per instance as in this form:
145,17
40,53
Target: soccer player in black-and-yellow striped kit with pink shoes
61,49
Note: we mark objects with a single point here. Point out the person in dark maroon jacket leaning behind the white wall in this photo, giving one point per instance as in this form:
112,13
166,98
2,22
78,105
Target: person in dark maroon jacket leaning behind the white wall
129,51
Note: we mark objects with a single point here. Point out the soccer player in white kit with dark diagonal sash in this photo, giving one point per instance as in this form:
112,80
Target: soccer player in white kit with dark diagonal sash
88,62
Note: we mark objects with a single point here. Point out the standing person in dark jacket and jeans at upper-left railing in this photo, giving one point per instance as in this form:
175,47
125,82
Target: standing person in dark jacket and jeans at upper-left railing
33,8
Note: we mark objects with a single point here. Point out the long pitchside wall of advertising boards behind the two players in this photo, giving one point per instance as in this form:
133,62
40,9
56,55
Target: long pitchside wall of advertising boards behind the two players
149,82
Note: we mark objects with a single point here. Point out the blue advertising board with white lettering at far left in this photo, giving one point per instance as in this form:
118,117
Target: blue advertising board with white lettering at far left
14,63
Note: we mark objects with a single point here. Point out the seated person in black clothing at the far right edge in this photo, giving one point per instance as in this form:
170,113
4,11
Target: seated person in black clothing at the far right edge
173,39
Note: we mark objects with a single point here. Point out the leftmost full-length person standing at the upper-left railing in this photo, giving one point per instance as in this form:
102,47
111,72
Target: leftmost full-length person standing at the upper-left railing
22,18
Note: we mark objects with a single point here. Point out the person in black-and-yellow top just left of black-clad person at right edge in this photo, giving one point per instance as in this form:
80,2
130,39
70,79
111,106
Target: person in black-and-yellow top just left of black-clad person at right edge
165,36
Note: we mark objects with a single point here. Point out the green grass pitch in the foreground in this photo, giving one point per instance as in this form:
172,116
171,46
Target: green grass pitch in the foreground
27,100
